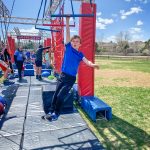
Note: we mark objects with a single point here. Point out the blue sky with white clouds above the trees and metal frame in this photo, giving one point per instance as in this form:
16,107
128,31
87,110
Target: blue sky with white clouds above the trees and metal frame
113,17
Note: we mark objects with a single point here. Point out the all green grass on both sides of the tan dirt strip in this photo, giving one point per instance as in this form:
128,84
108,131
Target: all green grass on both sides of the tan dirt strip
130,126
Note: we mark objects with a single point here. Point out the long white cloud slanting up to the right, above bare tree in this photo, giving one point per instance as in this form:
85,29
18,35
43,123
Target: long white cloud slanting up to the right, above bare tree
133,10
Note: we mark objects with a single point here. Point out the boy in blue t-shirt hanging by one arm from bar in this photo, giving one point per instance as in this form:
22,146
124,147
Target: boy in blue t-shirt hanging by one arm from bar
71,61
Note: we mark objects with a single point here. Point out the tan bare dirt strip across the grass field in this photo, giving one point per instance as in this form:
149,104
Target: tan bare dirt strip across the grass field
122,78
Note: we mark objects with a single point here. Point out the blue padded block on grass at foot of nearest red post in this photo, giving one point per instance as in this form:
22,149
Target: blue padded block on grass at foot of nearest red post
92,105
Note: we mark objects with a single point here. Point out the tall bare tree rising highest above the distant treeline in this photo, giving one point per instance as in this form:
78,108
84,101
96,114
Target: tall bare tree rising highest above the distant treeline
122,41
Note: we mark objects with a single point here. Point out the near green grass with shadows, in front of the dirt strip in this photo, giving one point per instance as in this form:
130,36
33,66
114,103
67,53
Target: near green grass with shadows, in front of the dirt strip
131,117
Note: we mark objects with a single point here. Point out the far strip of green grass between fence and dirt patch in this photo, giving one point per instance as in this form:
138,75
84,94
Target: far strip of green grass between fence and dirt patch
134,65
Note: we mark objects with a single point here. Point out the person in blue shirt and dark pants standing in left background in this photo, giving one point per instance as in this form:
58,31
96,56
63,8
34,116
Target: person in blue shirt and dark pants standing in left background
19,58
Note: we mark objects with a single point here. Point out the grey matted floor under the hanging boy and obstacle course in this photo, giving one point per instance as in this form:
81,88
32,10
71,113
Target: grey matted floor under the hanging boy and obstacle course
22,127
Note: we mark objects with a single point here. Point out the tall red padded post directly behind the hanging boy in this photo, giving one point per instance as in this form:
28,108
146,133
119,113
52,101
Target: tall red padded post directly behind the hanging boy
87,33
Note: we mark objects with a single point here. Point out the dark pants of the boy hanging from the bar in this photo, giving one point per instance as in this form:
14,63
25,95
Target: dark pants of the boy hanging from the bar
64,84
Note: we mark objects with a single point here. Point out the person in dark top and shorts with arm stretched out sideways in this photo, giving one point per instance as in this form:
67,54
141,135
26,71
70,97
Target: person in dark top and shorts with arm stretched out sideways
38,61
